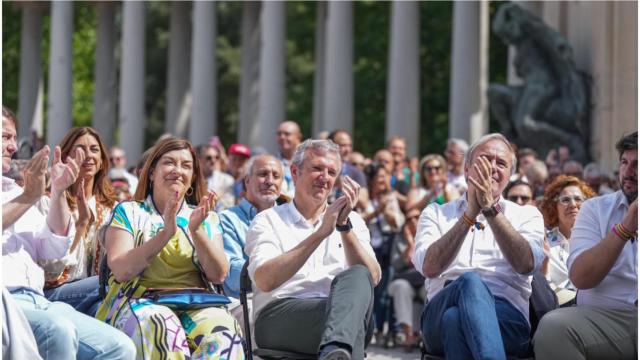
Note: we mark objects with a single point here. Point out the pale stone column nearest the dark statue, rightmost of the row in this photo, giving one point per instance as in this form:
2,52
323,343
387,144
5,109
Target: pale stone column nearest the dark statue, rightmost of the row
468,118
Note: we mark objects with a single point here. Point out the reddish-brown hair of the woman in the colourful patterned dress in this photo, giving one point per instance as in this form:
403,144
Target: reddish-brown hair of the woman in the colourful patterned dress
155,153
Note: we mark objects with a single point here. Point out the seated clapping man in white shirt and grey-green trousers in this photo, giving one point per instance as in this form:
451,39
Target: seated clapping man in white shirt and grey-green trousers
311,264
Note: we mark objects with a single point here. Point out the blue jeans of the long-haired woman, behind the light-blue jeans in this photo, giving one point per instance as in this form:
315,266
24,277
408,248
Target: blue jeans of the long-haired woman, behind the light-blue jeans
81,294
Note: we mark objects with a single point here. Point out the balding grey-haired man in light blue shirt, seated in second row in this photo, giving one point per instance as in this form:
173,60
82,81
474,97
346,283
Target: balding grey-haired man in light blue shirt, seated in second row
262,183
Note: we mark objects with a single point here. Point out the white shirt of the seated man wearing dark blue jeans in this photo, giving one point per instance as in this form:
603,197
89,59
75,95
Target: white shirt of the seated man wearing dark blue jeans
480,252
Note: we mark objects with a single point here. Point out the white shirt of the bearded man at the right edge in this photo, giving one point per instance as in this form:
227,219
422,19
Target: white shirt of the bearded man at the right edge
619,289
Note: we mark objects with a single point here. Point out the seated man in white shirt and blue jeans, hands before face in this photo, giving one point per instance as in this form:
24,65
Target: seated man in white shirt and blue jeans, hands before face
477,254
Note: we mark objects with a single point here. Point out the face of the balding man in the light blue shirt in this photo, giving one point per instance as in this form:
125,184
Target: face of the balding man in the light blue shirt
265,181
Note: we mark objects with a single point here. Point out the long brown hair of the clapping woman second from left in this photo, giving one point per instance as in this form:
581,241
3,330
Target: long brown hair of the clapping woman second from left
102,189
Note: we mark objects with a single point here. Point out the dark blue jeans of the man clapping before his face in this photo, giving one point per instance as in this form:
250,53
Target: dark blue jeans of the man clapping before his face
465,321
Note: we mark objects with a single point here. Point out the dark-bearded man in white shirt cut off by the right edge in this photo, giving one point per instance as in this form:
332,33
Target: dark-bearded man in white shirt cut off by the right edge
603,266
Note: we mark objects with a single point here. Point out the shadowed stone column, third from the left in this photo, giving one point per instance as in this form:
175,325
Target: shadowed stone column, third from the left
104,97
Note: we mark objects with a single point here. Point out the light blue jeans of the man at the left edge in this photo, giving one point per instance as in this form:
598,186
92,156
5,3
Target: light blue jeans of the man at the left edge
63,333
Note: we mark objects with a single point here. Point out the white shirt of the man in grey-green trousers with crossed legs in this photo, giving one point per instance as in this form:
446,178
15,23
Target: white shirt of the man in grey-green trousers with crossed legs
280,229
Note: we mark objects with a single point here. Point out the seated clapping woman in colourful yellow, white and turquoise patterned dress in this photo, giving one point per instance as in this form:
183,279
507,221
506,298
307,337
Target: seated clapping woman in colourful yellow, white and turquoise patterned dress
169,237
